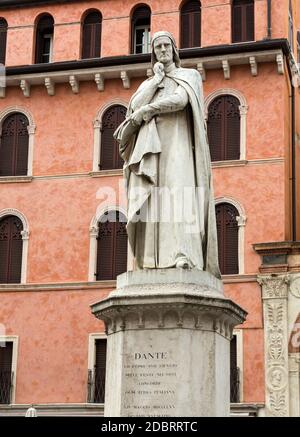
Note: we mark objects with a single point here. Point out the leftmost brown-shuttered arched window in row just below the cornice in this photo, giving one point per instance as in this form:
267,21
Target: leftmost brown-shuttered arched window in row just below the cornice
14,145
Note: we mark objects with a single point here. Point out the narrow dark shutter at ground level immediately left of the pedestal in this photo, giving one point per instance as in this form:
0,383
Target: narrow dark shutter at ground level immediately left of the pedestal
100,370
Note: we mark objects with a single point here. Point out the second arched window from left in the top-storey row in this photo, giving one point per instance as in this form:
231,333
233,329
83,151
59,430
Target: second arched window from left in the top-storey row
44,39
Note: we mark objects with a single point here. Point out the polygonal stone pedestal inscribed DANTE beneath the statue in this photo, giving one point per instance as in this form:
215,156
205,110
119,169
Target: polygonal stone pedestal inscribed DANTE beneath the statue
168,344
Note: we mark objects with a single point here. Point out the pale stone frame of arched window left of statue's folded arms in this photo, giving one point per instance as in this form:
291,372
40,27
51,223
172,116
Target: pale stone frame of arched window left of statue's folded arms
97,126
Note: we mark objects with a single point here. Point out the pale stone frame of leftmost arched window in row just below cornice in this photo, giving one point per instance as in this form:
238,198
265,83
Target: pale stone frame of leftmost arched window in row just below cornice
31,128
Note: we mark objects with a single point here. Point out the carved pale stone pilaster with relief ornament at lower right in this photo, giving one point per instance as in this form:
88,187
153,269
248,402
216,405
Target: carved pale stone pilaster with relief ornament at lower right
275,310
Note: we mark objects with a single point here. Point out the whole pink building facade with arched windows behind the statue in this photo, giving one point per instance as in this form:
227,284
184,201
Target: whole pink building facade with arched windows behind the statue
70,69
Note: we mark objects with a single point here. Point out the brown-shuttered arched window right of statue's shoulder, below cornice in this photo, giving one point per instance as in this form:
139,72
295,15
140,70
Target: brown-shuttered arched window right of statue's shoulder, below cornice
223,128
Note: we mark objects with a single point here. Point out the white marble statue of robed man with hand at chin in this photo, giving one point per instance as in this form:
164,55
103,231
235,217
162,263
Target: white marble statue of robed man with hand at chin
171,214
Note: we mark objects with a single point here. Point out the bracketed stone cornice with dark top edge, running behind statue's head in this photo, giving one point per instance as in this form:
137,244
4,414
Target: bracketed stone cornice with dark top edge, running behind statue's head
132,66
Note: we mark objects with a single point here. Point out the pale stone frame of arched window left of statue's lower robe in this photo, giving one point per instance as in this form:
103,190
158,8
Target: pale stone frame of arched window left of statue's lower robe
94,230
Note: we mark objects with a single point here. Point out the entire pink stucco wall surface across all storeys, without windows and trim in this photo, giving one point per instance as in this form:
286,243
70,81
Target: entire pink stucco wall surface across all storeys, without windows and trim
53,326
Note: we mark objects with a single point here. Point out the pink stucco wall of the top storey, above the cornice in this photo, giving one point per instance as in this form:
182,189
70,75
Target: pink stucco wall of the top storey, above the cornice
216,25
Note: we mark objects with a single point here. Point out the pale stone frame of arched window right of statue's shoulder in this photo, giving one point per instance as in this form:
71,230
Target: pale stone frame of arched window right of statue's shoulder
243,114
